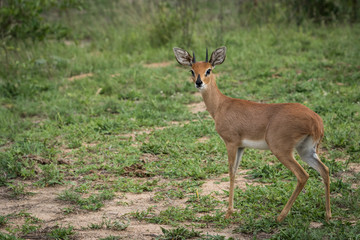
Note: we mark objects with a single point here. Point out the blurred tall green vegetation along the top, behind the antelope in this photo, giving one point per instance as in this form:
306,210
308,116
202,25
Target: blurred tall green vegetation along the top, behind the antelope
161,21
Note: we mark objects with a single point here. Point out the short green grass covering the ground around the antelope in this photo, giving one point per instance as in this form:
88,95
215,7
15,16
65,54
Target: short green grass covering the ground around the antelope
75,132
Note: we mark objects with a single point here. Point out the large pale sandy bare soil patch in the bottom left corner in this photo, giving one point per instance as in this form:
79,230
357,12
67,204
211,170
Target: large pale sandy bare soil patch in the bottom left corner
45,206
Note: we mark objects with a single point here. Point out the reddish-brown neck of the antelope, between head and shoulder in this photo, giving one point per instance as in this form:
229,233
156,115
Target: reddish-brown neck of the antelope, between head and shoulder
213,98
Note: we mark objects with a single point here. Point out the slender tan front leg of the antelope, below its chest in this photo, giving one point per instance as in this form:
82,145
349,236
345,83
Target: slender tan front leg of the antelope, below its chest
234,157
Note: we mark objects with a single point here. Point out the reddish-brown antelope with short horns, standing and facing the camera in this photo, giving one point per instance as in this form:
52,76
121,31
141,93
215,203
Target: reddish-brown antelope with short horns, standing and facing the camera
278,127
